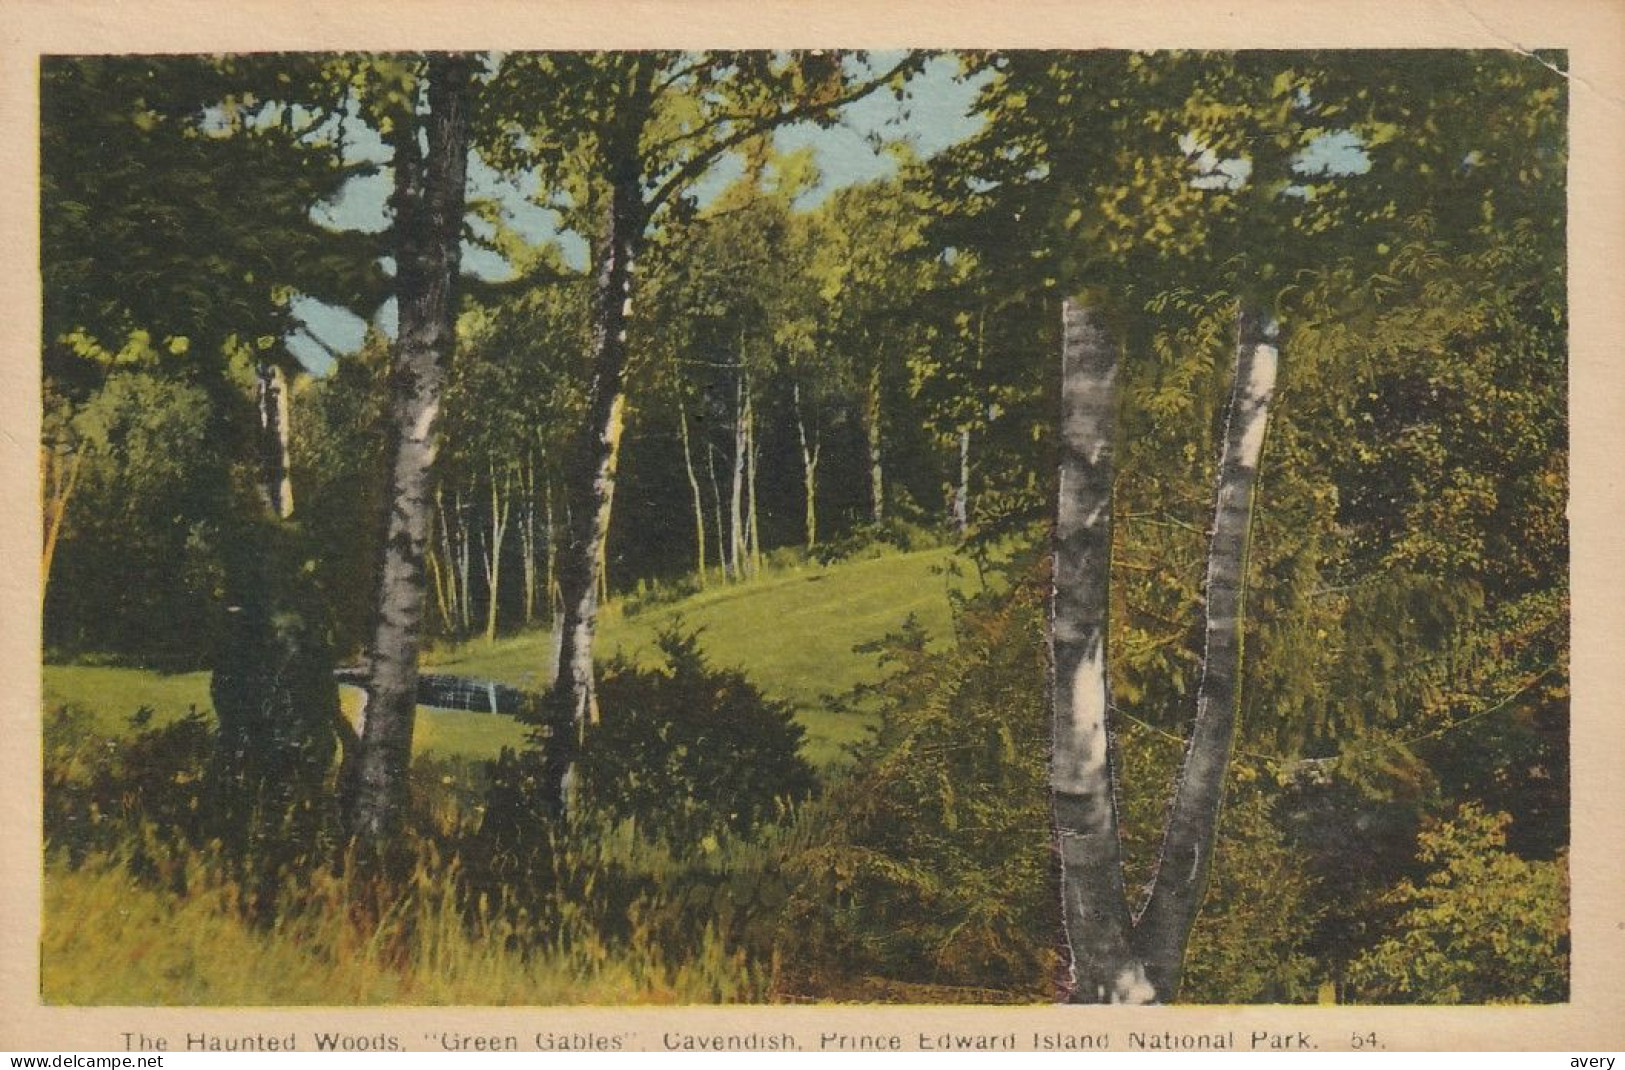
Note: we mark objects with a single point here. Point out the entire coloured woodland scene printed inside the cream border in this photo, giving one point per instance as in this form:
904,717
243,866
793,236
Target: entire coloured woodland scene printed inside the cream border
808,526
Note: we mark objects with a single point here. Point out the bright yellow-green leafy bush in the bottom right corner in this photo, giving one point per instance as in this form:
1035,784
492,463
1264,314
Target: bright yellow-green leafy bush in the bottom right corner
1483,926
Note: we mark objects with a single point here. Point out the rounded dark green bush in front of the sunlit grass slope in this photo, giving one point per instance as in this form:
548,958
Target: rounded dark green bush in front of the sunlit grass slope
690,752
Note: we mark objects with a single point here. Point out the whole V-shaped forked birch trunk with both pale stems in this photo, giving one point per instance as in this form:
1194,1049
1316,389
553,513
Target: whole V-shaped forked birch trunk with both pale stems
1114,957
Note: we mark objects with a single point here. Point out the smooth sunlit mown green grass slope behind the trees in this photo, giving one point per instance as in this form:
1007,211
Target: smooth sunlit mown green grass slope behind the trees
792,632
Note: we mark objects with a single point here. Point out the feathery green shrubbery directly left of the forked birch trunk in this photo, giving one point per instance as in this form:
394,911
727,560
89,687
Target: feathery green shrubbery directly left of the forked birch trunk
930,864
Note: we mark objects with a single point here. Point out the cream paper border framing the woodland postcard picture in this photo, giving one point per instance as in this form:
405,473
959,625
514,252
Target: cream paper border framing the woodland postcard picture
1592,30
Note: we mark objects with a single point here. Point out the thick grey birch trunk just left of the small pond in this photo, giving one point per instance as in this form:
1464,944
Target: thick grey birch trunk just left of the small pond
428,228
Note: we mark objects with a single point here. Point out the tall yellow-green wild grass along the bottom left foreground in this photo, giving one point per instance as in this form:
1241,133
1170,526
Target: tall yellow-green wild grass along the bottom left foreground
113,939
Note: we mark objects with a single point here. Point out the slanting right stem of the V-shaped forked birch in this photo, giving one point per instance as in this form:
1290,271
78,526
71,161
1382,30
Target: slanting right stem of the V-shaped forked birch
1185,859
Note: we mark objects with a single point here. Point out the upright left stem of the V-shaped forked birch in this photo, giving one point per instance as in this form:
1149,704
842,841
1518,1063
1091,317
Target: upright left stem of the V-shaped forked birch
1094,910
